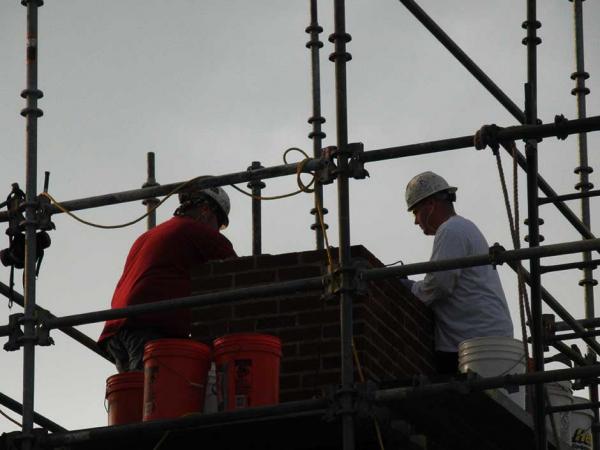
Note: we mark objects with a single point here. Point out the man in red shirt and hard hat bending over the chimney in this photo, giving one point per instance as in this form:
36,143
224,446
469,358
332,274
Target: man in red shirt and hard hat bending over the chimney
158,268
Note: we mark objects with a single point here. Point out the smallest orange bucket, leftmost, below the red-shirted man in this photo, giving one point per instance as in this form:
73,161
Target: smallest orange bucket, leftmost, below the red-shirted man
124,397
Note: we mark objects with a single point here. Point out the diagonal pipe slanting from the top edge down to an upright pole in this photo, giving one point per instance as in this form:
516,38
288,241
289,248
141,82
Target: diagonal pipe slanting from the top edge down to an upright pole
464,59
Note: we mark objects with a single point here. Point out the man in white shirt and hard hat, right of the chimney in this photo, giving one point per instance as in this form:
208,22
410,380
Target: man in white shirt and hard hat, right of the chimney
466,303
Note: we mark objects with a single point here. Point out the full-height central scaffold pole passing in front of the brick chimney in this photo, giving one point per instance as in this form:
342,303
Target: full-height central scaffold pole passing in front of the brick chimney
340,57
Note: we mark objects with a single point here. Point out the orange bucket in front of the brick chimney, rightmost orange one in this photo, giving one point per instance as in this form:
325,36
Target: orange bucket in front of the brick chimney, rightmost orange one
247,370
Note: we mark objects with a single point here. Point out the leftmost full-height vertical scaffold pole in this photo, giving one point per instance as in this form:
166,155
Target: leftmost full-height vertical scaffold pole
31,112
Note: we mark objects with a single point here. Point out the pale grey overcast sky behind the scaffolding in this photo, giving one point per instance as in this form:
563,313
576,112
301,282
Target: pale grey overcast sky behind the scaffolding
211,86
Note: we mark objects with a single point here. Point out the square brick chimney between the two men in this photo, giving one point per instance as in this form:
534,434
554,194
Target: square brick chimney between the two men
393,331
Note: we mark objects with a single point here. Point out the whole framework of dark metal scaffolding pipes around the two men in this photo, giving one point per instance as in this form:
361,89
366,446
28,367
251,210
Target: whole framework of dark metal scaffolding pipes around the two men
344,162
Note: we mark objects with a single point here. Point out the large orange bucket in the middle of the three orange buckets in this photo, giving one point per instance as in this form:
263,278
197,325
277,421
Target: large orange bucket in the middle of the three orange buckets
175,373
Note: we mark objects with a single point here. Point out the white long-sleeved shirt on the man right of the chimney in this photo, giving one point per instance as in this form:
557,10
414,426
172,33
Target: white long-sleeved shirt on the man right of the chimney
469,302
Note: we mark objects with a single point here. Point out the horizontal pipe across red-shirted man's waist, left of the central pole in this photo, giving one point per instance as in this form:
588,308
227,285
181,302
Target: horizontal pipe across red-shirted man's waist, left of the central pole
286,287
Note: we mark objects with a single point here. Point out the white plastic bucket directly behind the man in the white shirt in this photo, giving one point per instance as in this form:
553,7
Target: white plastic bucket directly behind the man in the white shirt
493,356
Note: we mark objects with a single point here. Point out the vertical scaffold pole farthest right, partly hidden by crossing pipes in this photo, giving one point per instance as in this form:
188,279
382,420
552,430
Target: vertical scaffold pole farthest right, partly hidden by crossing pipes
588,282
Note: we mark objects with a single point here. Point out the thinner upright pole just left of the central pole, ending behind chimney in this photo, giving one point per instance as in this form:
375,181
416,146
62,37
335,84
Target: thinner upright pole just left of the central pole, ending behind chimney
317,135
